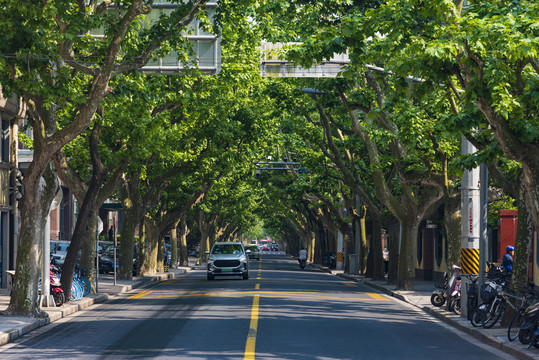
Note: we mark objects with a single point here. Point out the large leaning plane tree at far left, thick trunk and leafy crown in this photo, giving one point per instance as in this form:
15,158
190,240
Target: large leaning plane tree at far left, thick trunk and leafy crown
60,71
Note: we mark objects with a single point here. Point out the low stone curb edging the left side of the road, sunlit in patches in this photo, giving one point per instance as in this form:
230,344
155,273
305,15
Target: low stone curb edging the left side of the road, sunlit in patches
28,324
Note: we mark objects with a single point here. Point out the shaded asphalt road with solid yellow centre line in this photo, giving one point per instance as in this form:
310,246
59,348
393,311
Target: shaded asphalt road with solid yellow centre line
281,312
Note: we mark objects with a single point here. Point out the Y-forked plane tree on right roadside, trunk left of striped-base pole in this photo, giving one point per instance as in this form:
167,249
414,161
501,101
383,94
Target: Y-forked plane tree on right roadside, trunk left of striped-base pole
379,114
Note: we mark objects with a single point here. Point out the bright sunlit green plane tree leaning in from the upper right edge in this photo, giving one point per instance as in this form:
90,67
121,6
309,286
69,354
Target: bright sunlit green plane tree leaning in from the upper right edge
486,53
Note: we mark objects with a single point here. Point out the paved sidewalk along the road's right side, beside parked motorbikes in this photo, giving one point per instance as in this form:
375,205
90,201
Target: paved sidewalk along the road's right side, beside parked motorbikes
420,297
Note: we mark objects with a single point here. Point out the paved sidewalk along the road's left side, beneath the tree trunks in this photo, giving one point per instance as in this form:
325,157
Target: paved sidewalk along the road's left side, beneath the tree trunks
12,327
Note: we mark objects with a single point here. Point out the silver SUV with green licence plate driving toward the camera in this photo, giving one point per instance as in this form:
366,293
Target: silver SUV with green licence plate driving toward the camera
228,259
